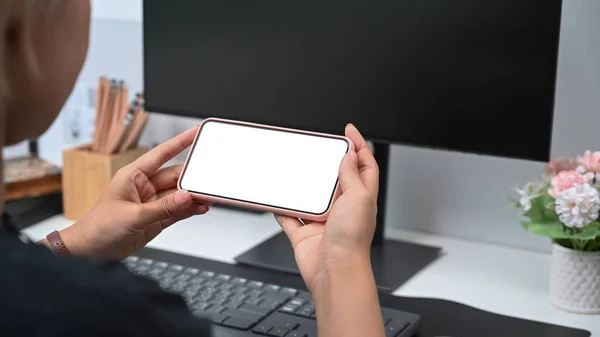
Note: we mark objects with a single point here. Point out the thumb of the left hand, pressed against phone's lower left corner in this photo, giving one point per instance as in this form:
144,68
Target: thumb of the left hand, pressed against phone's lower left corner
165,207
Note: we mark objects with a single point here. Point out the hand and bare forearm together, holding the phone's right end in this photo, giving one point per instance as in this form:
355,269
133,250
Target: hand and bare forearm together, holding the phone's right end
333,257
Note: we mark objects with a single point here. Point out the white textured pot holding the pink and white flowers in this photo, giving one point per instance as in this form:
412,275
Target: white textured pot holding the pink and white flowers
575,280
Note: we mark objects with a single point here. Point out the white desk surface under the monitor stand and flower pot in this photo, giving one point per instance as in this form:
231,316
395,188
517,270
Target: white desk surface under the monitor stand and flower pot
497,279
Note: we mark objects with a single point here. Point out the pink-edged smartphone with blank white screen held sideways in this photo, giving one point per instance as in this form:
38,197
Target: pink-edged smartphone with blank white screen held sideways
262,167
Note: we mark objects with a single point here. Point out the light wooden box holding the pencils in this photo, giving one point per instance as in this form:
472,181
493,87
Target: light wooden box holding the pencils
86,174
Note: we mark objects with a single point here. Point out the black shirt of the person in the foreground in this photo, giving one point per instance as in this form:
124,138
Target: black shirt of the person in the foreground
46,295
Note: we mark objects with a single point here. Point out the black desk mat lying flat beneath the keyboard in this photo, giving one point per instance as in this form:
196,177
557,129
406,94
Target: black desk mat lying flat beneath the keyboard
439,318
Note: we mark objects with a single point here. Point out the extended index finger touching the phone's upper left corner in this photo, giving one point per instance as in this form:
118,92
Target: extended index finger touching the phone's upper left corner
157,157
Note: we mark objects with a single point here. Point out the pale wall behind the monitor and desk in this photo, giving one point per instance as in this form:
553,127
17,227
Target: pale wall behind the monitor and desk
435,191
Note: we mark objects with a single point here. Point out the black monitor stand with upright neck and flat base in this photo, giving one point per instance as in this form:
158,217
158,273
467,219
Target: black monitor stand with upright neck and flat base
393,262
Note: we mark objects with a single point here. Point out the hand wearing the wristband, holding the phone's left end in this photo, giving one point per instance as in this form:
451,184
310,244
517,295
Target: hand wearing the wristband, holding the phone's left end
141,201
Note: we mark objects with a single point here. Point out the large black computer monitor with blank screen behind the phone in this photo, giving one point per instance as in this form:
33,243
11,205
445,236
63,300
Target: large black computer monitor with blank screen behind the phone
465,75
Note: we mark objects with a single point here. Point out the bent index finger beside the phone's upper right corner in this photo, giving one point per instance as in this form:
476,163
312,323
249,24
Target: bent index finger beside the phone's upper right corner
367,166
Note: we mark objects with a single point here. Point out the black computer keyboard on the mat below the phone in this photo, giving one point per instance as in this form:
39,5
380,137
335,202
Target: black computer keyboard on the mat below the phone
249,306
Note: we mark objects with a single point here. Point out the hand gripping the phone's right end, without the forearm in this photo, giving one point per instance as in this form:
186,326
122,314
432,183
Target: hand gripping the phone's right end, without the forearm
344,240
